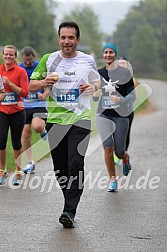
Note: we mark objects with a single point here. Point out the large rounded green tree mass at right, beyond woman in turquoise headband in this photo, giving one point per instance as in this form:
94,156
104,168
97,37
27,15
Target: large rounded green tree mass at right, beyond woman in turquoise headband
142,37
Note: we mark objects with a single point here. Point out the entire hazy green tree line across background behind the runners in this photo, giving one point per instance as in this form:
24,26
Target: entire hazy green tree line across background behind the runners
141,36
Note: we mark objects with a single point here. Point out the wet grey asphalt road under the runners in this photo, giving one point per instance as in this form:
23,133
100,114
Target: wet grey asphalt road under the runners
132,220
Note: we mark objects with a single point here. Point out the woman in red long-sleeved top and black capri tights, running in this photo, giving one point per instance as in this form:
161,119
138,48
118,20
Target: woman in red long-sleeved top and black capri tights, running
12,114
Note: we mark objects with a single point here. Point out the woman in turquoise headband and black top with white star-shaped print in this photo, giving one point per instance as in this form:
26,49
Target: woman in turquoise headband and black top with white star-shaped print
112,113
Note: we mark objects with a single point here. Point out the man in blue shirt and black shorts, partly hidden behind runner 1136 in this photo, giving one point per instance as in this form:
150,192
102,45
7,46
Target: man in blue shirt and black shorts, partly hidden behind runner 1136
35,108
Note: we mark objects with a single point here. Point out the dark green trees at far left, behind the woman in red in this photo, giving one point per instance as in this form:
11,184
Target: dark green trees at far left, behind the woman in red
24,23
